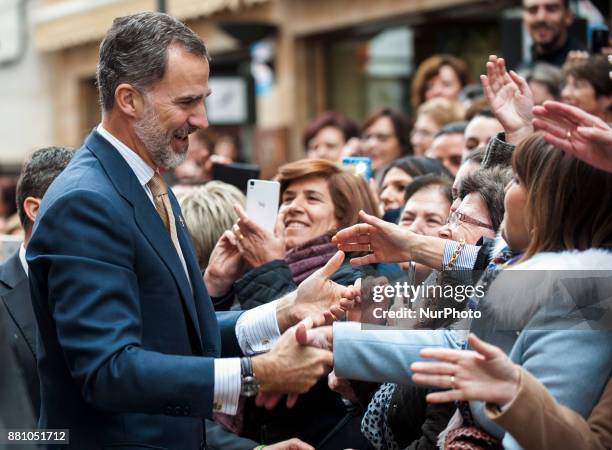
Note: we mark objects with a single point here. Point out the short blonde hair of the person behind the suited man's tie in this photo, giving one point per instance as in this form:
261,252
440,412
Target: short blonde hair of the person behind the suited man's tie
208,211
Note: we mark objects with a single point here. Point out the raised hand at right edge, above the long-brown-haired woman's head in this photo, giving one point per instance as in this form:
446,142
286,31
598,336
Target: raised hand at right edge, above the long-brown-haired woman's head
576,132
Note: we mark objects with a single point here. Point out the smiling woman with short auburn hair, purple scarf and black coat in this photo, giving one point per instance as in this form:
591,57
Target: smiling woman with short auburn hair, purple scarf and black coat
254,266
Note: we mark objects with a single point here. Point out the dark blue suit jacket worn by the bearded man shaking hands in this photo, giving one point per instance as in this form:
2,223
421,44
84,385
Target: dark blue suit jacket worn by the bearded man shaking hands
125,347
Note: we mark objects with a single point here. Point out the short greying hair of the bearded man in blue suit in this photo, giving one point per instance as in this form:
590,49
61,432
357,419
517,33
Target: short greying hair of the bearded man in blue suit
135,51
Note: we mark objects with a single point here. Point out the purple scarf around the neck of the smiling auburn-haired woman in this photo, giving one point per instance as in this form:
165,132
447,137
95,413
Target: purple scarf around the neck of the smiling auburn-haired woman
310,256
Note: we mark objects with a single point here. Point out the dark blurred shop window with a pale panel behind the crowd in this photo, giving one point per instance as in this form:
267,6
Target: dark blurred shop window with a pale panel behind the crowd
366,70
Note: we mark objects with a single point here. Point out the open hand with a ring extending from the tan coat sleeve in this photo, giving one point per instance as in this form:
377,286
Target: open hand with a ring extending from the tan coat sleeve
485,373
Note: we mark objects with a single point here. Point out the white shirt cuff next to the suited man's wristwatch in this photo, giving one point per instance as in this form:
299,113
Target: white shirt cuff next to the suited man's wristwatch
226,392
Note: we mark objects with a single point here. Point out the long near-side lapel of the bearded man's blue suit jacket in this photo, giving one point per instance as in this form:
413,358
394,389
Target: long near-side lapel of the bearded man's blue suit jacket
147,218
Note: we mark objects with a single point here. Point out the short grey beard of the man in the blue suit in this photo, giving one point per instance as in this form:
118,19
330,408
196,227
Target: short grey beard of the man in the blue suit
156,141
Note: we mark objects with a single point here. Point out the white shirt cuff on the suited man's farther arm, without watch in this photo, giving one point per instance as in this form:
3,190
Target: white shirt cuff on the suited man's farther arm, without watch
257,329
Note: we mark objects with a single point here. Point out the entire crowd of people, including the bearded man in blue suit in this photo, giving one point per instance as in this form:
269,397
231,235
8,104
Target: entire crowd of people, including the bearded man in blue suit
144,316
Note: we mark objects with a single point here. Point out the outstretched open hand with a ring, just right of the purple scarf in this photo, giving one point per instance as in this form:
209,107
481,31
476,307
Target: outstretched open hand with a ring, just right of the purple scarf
384,241
